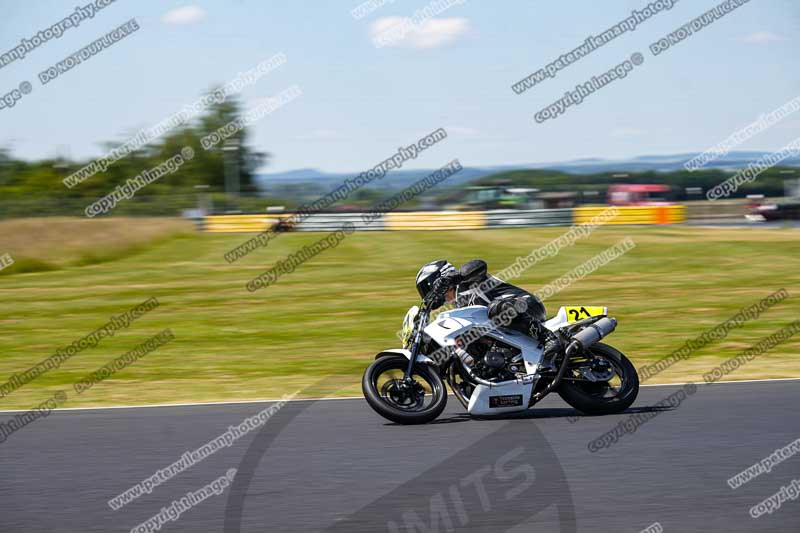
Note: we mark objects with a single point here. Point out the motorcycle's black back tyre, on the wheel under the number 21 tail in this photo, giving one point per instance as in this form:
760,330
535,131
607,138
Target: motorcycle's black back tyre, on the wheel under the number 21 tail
575,393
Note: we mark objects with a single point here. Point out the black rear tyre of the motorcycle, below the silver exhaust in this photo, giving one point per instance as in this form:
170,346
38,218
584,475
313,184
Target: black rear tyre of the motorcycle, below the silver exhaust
601,398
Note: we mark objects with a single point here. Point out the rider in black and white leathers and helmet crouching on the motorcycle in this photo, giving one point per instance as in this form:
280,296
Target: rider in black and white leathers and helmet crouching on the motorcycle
473,285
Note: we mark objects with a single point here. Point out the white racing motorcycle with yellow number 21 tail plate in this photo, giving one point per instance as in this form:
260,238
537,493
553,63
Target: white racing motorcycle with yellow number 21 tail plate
492,369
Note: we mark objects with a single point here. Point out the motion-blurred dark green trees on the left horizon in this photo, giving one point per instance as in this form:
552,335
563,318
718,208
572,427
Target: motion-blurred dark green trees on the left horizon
33,188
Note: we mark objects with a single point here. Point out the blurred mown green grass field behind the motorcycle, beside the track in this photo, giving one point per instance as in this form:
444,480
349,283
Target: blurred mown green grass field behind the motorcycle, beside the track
332,314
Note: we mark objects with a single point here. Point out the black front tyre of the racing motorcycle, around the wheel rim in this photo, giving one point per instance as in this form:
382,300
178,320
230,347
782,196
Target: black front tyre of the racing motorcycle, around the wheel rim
384,407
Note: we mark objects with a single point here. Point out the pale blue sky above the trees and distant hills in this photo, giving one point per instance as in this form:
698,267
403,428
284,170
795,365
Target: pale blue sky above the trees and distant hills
360,102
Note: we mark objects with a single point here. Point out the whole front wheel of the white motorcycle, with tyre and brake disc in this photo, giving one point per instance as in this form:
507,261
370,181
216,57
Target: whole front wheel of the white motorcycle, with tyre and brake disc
417,403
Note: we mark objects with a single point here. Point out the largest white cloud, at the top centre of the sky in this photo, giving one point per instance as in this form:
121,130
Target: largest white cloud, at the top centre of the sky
401,32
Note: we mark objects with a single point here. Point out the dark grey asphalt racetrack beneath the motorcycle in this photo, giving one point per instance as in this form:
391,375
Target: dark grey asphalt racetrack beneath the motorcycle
337,466
